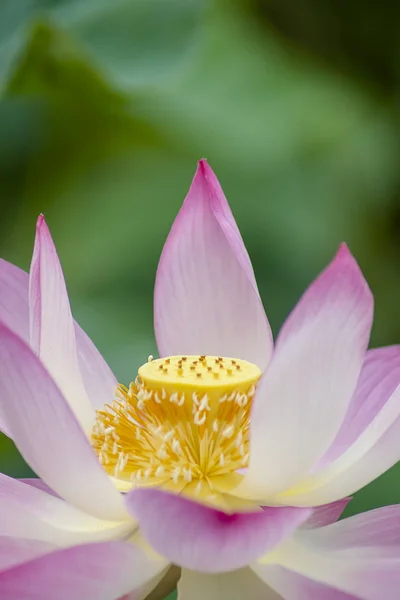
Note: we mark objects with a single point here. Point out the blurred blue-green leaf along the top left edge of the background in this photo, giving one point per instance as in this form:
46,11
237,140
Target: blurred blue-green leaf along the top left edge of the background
132,42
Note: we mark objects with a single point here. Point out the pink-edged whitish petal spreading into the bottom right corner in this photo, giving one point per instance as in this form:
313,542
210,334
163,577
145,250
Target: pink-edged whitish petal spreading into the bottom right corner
359,556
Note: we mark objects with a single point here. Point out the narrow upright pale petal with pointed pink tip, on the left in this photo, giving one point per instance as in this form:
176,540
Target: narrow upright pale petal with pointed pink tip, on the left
52,332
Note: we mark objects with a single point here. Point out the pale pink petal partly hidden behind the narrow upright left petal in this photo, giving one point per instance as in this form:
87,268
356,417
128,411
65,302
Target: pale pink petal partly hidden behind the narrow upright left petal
98,378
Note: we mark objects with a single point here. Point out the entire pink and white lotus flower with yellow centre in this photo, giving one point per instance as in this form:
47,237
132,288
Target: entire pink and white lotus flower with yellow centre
222,425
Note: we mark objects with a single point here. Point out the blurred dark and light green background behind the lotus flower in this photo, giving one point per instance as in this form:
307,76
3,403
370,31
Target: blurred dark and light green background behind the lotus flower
107,105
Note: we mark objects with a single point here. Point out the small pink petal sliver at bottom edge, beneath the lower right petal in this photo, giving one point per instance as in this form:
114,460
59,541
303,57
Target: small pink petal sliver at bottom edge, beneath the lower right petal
294,586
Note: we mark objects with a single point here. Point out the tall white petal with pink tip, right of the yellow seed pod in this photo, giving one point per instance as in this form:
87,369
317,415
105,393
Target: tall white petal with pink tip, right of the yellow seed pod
303,397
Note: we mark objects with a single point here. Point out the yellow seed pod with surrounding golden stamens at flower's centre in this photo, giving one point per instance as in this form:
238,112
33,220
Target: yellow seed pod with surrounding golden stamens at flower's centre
183,426
